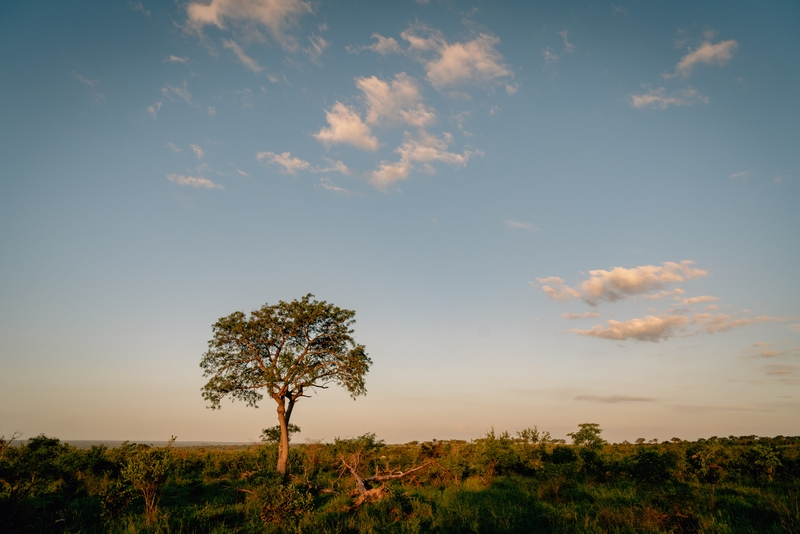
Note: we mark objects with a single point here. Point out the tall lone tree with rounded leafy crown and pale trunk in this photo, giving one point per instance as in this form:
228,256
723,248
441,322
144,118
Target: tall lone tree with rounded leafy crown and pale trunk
285,350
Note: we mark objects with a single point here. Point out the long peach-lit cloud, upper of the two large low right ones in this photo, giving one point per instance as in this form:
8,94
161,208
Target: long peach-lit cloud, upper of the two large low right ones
619,282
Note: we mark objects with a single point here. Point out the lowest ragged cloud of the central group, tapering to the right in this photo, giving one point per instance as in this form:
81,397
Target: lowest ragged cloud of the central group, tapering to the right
422,149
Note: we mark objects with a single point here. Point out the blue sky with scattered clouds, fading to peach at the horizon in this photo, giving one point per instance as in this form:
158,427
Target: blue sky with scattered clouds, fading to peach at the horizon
543,213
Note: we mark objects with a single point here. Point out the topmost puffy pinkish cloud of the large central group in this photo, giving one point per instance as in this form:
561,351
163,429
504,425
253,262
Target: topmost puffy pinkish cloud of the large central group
473,61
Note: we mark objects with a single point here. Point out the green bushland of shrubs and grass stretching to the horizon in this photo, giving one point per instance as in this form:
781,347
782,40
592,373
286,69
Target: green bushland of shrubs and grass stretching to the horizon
528,482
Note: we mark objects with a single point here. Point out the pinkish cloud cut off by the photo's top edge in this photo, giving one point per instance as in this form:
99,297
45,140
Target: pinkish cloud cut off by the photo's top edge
275,15
